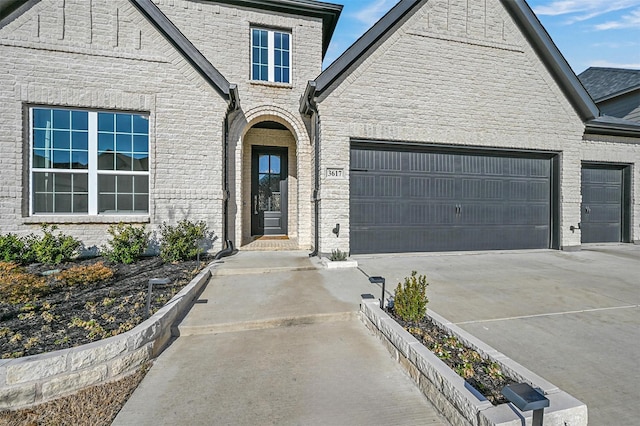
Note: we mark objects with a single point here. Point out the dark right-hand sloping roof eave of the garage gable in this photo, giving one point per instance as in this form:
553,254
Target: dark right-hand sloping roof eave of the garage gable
552,58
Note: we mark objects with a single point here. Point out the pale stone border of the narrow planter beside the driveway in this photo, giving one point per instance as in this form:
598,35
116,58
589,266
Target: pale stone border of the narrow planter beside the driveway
460,403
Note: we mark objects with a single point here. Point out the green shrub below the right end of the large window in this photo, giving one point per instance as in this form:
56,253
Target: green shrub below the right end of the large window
127,243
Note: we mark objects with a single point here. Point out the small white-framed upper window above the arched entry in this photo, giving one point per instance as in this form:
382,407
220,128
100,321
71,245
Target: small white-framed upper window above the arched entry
270,55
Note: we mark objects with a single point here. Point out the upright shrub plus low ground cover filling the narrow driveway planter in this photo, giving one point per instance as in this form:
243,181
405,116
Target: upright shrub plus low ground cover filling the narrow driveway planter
410,310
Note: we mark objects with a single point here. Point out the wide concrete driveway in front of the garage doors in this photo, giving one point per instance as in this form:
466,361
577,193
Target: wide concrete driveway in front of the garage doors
571,317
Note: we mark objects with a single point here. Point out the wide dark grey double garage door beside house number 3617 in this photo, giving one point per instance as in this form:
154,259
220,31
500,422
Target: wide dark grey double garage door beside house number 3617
413,200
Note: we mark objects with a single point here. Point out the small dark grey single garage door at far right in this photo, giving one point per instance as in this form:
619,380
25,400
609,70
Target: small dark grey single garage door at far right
605,194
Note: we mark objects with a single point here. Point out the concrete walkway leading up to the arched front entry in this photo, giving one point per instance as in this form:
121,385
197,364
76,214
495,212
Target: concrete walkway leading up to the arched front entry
275,340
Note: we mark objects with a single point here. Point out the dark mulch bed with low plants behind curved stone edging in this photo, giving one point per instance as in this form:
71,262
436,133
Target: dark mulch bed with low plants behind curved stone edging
69,316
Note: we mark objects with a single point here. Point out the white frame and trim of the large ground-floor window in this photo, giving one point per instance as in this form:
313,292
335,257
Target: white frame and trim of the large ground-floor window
92,170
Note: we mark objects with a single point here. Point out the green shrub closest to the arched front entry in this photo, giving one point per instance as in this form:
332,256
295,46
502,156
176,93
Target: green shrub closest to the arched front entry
180,242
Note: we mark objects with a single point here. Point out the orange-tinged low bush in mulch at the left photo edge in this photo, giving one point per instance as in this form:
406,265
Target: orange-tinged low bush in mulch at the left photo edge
17,286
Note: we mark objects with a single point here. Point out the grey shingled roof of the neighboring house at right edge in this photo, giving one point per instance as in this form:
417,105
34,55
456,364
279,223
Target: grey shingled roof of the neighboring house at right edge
615,91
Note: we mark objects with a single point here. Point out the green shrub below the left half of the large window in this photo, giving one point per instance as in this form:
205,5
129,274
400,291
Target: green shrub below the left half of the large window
52,249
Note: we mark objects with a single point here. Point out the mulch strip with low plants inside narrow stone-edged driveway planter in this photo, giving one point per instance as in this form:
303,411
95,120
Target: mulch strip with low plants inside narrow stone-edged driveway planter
483,374
